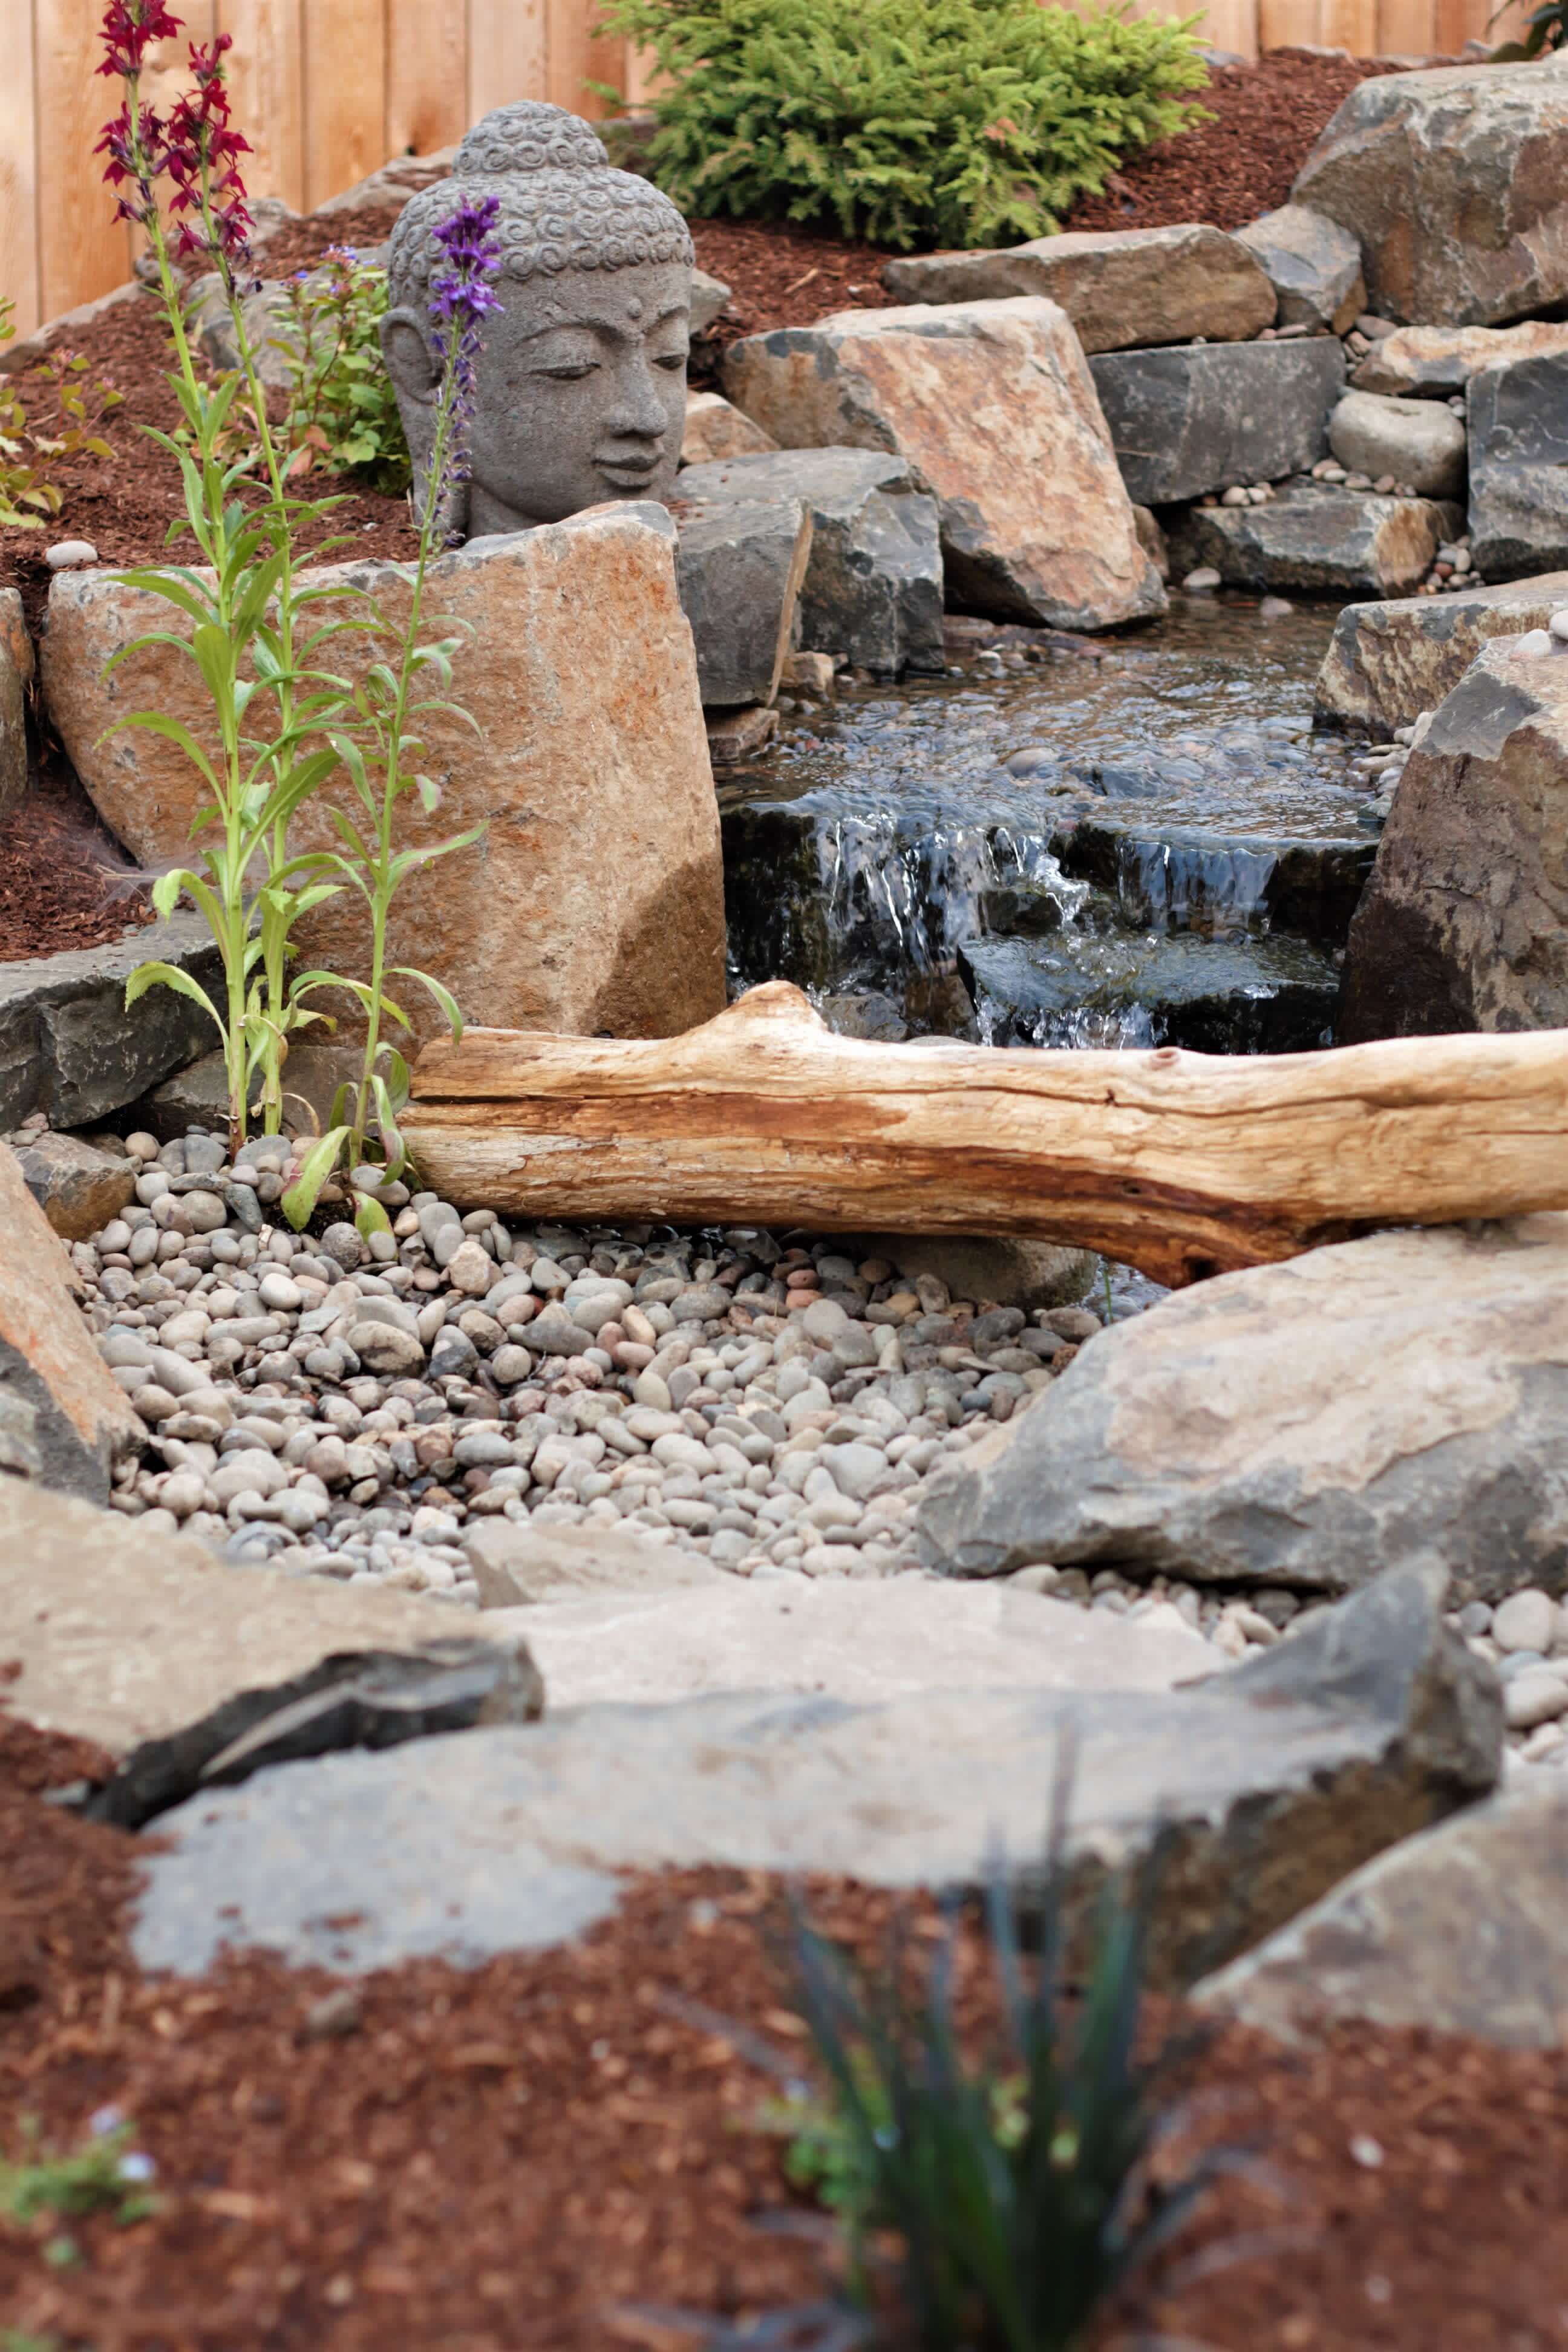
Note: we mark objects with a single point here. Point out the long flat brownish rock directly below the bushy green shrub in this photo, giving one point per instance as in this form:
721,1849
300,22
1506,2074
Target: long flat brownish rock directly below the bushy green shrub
1120,286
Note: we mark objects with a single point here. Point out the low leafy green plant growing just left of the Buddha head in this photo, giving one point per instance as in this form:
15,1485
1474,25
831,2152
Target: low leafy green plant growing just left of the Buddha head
342,403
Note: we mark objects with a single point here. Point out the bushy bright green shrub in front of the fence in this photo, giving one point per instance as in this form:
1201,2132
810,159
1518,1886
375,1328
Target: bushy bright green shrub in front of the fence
906,121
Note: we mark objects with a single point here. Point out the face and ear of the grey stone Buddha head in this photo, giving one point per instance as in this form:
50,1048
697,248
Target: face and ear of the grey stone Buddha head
579,392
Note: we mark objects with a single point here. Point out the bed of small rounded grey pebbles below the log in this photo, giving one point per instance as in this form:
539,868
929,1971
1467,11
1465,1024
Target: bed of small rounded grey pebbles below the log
335,1408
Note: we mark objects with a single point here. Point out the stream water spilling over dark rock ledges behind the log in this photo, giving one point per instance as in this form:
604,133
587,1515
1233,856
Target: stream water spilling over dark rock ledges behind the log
1073,843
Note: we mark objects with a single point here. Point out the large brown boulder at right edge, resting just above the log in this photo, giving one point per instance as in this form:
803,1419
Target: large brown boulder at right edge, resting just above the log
1466,921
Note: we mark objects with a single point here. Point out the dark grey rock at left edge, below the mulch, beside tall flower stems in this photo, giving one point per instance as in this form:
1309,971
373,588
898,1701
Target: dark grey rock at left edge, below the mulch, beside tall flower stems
72,1048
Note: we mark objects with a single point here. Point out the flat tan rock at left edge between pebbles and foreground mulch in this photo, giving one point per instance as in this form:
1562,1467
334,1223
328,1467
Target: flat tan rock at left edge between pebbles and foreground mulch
126,1636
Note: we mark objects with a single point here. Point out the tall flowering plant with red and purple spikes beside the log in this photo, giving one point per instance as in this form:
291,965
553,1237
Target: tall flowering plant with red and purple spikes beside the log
272,643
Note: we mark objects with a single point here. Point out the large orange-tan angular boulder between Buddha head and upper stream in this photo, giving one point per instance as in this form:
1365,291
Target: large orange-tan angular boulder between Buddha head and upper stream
993,408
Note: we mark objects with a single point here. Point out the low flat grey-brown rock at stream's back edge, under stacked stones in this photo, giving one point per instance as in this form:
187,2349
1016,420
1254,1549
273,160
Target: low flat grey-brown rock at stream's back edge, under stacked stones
1320,540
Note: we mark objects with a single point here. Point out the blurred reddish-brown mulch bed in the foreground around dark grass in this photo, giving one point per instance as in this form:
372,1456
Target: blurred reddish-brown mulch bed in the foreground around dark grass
556,2151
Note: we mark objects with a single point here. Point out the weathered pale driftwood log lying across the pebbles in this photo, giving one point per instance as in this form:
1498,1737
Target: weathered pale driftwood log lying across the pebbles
1177,1163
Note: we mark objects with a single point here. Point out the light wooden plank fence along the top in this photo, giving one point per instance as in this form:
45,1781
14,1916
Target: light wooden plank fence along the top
326,91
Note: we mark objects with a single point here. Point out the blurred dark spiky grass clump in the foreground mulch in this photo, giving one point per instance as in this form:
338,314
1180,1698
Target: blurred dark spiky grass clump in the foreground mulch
1017,2186
